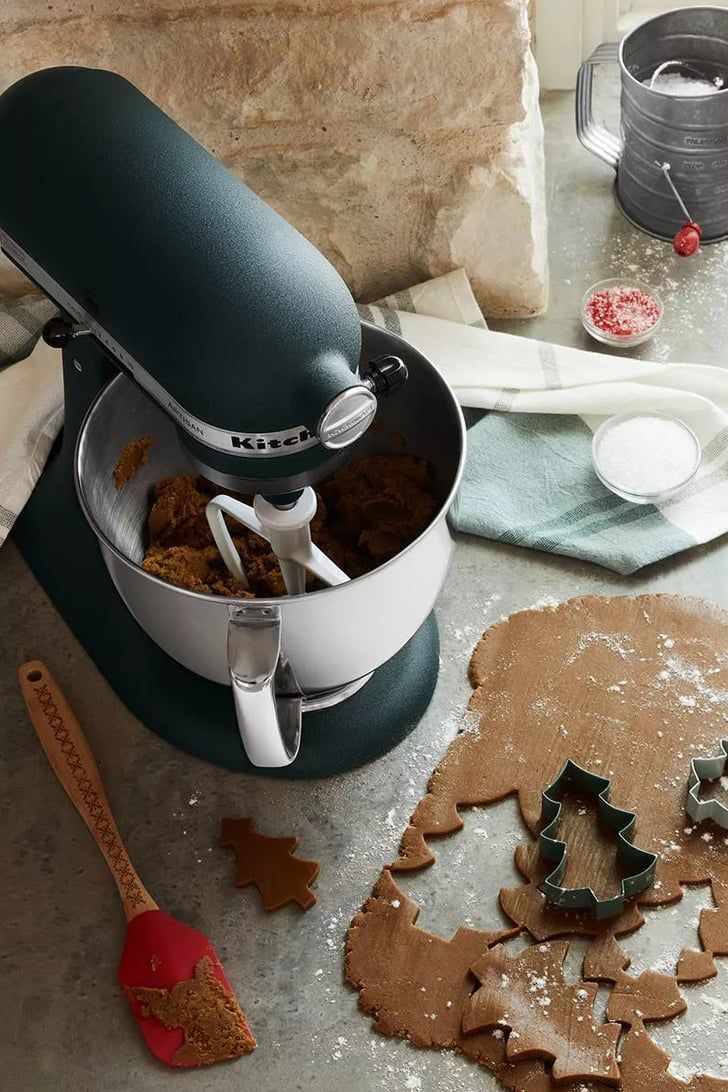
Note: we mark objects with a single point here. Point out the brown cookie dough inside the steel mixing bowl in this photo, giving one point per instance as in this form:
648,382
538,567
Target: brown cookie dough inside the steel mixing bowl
367,513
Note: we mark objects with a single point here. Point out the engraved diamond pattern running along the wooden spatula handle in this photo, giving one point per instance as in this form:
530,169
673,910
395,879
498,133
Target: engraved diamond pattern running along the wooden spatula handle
108,836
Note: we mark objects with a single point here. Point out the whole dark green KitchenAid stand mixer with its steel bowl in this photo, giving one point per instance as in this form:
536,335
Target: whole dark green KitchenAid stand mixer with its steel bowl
243,355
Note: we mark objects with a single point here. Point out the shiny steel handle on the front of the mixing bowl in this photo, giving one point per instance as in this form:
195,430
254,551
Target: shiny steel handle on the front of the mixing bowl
268,702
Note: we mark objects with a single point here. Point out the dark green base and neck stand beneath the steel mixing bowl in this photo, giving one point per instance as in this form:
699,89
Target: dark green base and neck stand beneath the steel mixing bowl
183,708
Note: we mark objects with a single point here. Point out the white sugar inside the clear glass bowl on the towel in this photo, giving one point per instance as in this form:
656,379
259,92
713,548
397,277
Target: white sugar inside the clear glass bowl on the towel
647,455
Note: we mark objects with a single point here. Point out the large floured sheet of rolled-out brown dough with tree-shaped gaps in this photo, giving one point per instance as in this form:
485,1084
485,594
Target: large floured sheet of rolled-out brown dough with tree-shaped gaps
632,690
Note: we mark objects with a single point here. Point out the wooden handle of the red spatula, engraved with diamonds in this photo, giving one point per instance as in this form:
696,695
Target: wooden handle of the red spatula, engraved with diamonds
68,752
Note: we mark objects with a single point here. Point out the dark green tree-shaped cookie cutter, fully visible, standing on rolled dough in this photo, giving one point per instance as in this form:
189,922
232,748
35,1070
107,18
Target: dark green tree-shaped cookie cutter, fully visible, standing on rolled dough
639,864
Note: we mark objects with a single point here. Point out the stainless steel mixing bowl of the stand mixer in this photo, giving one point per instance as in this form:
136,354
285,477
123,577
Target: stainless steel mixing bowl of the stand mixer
332,639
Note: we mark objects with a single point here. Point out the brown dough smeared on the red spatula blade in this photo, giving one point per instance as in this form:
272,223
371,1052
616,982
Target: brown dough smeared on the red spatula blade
214,1025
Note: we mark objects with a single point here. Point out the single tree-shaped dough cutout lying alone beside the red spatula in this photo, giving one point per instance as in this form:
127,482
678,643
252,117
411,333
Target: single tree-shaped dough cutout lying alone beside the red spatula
270,864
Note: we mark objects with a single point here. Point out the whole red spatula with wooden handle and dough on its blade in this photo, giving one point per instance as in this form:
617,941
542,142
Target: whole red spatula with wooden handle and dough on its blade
171,975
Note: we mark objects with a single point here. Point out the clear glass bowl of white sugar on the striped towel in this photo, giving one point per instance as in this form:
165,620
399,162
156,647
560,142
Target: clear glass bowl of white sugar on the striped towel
646,458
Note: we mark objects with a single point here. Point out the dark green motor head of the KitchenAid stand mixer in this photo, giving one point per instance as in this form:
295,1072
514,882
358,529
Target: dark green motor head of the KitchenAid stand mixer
217,307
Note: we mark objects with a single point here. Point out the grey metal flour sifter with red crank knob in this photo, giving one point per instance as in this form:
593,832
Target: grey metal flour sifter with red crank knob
672,139
